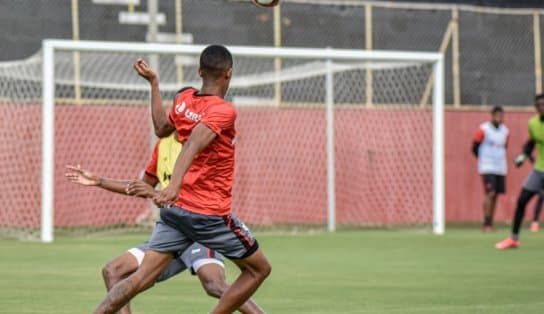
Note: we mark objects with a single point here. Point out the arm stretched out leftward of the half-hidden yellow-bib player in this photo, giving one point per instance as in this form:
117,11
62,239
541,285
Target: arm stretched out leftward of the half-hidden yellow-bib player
137,188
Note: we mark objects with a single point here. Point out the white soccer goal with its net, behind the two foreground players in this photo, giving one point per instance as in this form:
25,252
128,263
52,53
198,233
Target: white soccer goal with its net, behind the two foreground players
324,137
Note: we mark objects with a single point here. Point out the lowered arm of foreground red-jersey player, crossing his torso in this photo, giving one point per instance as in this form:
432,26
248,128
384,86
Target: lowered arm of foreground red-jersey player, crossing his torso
200,138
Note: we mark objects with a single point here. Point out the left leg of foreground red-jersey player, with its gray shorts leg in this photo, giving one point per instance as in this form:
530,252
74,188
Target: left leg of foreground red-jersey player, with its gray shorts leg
165,241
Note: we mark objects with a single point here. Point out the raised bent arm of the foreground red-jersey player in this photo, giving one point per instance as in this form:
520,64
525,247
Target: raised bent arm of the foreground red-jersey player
158,114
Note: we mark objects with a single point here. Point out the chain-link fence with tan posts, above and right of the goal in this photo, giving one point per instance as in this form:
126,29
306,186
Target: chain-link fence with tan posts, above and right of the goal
493,55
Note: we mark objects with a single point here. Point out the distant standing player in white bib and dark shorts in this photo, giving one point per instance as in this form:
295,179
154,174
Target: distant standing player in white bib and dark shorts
489,147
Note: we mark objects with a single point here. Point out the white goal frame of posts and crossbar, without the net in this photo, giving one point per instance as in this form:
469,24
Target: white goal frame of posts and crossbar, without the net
329,56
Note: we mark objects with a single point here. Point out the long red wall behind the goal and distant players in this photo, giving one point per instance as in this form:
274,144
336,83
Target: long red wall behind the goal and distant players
123,152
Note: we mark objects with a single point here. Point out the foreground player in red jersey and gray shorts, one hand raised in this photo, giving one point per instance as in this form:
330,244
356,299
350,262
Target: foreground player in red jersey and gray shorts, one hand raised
198,198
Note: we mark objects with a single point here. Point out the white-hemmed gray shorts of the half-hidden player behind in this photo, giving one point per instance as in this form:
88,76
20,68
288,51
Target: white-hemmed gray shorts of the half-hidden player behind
192,258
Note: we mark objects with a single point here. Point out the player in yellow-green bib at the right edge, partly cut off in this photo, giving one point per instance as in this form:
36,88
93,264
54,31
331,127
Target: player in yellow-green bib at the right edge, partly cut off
534,184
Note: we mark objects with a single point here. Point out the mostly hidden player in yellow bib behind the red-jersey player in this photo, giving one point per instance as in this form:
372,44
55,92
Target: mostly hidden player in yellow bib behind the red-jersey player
201,261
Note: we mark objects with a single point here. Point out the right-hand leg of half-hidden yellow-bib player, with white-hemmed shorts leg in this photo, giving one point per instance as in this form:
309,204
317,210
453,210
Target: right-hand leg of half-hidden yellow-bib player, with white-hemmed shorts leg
210,269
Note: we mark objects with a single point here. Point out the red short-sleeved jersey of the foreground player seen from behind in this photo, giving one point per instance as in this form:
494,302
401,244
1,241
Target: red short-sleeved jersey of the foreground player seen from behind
207,185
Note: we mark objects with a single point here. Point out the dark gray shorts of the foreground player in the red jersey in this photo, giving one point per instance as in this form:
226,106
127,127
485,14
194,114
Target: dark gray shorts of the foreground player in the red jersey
179,228
